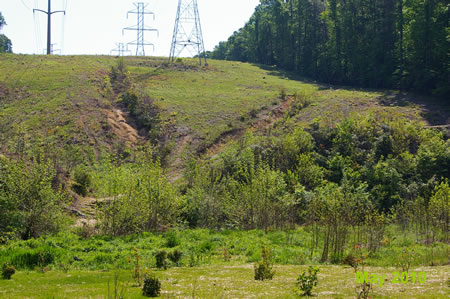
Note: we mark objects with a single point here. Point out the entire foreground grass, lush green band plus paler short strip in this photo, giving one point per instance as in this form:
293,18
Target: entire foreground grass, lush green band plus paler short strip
213,265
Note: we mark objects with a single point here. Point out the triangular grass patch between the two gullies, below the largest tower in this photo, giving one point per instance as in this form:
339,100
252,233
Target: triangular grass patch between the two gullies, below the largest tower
205,100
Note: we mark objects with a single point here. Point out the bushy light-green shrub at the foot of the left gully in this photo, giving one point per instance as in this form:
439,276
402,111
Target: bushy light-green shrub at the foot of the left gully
144,199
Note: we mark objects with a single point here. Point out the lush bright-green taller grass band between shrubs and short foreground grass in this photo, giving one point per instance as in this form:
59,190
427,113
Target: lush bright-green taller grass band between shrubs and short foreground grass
199,247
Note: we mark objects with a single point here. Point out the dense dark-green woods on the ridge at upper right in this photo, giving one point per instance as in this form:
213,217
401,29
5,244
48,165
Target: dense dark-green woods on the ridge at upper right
400,44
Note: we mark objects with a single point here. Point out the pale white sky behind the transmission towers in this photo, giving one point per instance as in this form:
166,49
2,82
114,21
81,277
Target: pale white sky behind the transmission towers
95,26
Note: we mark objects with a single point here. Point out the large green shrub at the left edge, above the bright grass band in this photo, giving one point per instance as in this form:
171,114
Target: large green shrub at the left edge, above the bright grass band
30,205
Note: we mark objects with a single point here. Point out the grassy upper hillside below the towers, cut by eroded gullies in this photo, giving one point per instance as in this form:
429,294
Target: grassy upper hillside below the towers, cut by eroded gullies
62,105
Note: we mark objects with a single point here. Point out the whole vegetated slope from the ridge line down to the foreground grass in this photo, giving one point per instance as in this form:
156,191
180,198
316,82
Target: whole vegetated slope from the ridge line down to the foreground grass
148,153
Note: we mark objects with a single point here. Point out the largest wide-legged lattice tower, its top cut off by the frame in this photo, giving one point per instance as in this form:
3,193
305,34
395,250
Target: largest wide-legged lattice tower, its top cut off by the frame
187,33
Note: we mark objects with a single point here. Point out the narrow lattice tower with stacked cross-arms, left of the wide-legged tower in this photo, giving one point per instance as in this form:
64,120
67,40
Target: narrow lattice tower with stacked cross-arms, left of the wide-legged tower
140,42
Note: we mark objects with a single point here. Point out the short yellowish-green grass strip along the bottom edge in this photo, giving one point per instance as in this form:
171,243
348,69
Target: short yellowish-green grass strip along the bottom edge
219,281
